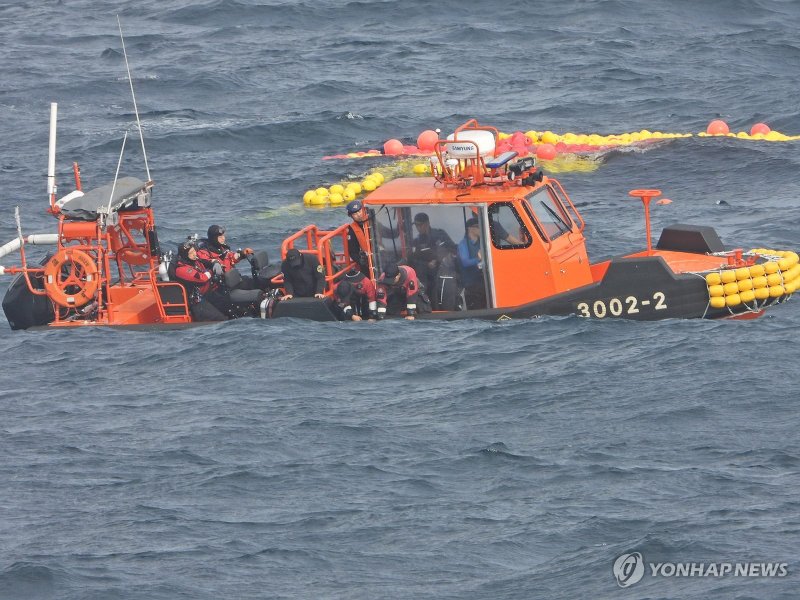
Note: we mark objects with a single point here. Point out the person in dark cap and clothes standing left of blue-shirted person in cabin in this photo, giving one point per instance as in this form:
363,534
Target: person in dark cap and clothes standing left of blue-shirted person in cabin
430,249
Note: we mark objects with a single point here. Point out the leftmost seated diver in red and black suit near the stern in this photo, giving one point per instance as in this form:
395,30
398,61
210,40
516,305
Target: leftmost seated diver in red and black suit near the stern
200,283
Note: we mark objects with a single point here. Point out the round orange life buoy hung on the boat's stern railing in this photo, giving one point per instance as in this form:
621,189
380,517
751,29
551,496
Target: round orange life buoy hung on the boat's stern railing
70,278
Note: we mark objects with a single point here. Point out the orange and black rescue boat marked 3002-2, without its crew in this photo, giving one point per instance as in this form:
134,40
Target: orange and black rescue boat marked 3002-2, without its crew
107,267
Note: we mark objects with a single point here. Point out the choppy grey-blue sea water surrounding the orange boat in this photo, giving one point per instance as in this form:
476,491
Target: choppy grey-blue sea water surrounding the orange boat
403,460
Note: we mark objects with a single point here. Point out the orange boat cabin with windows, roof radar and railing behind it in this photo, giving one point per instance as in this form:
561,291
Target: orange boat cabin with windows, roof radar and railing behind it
520,225
